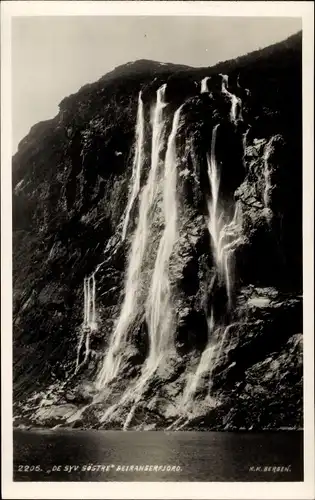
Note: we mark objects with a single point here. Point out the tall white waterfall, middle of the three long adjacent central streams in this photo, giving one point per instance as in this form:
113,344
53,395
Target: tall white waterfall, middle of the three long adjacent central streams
131,307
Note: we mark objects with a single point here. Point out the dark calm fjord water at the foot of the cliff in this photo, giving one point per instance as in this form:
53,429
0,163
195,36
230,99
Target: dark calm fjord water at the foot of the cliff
189,456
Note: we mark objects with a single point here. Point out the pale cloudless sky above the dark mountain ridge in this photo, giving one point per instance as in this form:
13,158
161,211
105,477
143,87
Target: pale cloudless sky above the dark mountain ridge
53,57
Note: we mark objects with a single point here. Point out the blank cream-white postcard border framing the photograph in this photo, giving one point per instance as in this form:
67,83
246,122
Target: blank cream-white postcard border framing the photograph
168,490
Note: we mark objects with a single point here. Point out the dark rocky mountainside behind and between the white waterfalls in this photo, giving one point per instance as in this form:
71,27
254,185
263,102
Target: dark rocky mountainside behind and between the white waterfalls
71,181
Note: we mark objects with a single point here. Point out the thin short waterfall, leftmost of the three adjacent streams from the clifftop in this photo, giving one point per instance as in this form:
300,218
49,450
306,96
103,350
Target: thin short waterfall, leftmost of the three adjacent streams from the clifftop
137,164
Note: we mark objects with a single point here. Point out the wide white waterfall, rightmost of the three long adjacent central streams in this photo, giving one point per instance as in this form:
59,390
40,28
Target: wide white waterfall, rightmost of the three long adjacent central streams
159,310
